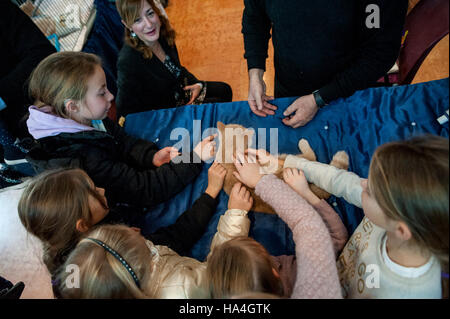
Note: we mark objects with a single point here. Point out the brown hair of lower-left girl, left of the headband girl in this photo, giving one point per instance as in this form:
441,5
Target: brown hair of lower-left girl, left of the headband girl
50,207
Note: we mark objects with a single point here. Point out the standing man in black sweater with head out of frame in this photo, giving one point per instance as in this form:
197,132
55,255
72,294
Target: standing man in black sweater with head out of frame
323,50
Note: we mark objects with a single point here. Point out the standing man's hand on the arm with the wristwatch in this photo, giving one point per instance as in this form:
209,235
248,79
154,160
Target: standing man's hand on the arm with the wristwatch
301,111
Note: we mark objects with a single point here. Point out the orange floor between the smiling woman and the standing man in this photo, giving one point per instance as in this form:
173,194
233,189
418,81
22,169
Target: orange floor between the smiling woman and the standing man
211,44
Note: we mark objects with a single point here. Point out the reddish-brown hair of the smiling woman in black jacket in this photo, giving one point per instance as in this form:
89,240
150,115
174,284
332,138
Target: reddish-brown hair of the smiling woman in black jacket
129,11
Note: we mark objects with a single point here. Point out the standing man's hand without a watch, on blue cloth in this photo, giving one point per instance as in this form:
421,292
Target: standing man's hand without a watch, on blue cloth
257,98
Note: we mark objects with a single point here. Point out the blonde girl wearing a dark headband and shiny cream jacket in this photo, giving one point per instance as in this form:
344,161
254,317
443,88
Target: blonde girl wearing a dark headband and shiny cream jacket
117,262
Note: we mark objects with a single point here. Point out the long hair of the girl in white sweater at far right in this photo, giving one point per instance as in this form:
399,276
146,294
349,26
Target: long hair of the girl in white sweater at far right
410,182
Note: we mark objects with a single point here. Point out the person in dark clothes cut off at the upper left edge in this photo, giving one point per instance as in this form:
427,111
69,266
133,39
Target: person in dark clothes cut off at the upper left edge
23,46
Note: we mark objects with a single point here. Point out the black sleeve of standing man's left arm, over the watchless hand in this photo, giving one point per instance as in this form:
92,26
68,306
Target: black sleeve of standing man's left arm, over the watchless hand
256,27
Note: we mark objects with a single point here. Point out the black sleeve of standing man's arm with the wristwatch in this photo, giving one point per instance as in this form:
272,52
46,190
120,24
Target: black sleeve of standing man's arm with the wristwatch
378,51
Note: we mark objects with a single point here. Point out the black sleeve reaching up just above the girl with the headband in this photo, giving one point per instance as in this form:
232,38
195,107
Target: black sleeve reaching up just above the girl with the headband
188,228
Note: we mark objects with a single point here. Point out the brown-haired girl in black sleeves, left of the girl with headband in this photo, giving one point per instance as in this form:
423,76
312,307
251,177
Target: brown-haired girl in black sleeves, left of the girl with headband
59,206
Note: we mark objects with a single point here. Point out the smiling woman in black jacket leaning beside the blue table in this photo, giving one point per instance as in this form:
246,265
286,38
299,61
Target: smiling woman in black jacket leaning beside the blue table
150,75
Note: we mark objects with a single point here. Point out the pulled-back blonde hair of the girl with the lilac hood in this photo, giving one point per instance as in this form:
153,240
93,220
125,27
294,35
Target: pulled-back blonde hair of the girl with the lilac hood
62,76
